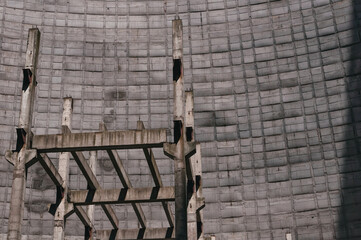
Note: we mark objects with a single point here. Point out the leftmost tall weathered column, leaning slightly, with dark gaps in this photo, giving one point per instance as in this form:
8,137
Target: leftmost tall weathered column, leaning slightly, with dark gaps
24,136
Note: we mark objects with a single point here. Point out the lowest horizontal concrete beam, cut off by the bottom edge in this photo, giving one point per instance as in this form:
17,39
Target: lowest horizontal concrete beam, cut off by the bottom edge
141,233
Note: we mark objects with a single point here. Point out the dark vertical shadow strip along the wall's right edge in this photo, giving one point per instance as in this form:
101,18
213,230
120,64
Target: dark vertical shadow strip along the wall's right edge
349,215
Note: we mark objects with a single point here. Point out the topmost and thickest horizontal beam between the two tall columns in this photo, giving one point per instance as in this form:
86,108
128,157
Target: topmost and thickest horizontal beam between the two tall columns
70,142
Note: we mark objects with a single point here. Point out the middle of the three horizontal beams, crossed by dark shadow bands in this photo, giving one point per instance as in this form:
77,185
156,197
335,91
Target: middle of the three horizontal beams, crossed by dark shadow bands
123,195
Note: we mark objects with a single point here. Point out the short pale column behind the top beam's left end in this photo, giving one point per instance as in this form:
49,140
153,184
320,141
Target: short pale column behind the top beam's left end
59,220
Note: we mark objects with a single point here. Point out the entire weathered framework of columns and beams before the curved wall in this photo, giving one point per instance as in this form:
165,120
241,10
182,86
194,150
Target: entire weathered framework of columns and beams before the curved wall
185,223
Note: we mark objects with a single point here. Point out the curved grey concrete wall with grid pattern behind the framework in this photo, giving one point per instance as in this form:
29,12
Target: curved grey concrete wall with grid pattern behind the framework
277,106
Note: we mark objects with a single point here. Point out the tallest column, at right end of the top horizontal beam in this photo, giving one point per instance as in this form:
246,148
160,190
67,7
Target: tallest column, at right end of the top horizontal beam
178,118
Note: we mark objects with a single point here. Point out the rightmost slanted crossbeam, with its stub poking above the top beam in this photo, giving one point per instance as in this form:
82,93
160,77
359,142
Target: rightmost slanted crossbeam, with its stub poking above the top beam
156,177
